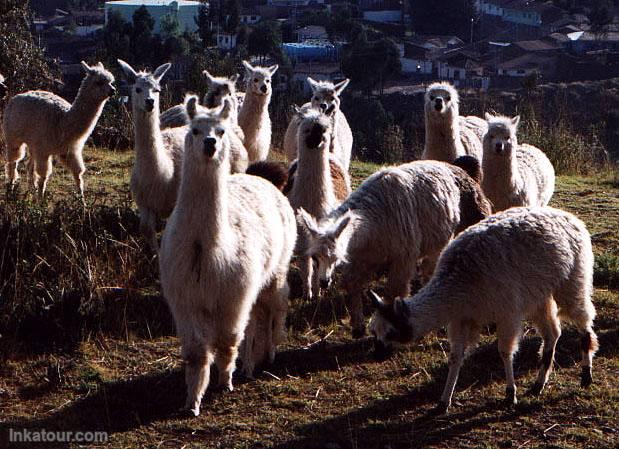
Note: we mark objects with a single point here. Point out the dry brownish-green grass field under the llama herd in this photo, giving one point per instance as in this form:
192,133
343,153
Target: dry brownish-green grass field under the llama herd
87,343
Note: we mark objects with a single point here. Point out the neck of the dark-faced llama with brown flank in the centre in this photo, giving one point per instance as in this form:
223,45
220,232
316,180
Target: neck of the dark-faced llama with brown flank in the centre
314,170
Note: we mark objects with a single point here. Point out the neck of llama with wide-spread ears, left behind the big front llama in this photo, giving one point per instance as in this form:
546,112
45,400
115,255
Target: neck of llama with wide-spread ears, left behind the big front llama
149,146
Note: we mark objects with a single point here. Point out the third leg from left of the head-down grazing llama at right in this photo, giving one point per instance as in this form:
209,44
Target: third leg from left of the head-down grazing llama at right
548,325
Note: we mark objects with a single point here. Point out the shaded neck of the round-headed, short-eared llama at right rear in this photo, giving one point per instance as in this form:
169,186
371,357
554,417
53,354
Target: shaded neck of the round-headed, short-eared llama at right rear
443,138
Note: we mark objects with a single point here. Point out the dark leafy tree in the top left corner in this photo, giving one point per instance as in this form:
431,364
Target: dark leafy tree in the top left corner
21,60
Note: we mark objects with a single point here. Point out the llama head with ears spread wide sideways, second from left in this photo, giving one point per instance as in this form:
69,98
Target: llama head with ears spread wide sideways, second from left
145,86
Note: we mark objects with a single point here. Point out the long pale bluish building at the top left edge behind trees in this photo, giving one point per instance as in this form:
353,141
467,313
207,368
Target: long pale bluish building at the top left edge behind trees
185,10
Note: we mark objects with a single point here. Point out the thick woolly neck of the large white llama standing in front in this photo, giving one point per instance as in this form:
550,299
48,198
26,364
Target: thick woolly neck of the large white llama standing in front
203,198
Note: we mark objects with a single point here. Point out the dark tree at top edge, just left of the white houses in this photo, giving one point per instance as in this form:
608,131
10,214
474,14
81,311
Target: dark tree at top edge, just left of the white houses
444,17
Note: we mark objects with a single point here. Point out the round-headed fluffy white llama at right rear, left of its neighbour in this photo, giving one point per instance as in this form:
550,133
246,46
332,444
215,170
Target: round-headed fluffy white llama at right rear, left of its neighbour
448,135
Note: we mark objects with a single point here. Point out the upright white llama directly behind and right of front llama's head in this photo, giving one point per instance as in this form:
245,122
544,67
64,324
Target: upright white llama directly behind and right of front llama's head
254,117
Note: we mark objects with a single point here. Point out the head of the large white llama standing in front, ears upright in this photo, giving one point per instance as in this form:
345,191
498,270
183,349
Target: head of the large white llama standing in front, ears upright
207,140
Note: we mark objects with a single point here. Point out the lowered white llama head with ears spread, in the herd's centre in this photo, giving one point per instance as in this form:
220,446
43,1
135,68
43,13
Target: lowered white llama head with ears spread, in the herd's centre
326,244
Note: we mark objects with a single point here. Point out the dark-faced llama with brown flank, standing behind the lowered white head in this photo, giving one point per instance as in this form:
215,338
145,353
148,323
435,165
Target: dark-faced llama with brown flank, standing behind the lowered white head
313,169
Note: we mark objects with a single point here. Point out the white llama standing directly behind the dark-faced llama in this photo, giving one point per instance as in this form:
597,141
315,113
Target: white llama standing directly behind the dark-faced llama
325,97
